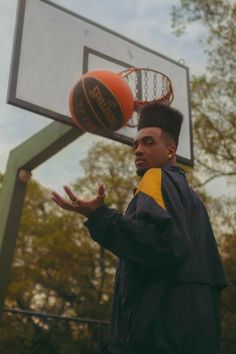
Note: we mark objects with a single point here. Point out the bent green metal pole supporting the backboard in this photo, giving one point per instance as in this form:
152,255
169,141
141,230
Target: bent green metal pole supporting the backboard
22,160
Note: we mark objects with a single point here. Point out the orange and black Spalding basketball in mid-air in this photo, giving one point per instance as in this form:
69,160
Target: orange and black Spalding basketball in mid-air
101,101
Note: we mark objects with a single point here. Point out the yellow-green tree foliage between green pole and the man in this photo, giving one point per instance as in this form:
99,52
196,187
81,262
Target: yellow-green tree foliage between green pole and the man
59,269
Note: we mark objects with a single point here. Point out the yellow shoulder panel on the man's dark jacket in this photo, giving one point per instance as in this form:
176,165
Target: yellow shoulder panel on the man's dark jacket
150,184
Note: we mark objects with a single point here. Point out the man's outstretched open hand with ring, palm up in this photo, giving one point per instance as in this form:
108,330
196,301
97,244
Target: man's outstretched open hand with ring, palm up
84,207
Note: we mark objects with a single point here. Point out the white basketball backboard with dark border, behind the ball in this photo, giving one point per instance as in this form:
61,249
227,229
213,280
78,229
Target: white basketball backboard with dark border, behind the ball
53,47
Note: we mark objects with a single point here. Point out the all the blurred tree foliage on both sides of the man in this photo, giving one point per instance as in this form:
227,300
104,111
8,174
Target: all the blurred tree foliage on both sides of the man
58,268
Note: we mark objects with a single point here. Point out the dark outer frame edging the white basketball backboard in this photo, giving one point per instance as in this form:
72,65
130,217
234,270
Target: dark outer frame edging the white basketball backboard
15,60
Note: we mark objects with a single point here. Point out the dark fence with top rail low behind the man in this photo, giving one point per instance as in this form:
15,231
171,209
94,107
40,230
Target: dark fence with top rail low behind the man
29,332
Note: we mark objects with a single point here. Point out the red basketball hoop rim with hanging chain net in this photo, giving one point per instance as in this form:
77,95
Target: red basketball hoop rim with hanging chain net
148,86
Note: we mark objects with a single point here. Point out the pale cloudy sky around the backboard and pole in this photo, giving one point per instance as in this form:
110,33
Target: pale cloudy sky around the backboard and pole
147,22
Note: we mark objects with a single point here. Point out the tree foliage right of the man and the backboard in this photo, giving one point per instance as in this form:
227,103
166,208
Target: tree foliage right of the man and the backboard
213,107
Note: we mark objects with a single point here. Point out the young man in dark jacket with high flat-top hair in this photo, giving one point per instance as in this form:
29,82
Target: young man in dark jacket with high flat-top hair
169,276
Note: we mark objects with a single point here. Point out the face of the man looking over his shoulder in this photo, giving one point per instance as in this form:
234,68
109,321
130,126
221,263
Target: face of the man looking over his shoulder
152,149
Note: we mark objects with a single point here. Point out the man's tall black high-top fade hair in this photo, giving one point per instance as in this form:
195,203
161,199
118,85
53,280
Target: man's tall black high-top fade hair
162,116
